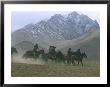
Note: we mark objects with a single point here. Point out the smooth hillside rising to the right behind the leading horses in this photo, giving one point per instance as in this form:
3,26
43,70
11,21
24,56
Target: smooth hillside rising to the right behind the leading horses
90,45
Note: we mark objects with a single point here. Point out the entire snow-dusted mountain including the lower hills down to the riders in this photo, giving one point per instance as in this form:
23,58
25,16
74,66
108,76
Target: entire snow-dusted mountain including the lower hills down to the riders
74,30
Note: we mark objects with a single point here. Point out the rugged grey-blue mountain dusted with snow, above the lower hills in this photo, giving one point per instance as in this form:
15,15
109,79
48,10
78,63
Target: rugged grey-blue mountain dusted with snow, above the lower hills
57,28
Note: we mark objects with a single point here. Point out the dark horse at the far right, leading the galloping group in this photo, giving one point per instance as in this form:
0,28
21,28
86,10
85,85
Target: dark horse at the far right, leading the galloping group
78,57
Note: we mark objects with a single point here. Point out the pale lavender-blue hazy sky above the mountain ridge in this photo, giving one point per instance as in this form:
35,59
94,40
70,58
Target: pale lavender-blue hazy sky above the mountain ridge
20,19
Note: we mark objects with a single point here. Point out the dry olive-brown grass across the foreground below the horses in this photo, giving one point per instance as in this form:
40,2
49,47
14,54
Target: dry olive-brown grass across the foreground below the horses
91,68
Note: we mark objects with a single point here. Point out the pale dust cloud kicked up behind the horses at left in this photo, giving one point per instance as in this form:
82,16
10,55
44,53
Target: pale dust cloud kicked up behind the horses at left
19,59
